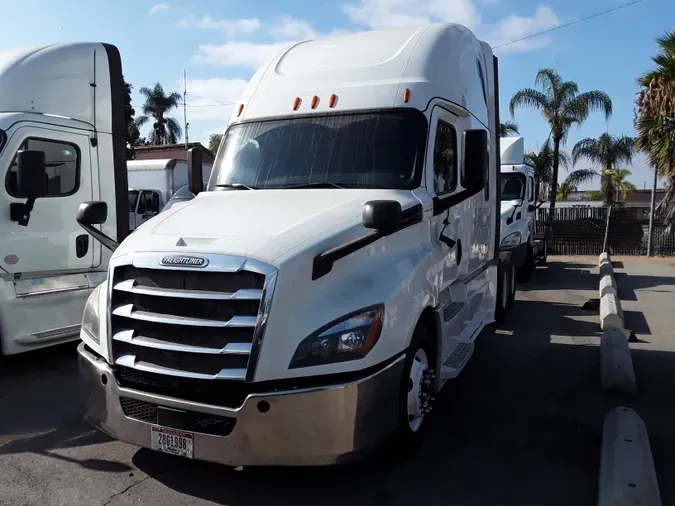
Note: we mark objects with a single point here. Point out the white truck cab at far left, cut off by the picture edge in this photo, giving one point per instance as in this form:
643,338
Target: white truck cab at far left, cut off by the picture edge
61,118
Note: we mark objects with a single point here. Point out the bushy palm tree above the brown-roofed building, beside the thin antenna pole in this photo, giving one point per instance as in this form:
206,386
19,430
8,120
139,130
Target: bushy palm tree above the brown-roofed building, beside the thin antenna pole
157,103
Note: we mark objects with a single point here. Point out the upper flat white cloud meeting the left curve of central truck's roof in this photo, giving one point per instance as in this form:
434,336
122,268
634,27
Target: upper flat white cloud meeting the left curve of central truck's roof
235,53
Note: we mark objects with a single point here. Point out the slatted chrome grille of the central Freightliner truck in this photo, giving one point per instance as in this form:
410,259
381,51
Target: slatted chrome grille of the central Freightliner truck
202,324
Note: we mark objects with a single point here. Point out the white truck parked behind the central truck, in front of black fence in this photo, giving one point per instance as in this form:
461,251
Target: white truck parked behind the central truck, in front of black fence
521,196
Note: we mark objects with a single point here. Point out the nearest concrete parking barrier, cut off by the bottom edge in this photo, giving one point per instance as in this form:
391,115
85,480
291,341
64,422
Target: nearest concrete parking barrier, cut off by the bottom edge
627,474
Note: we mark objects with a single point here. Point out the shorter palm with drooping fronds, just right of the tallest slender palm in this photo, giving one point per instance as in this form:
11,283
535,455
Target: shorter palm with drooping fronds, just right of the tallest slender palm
607,151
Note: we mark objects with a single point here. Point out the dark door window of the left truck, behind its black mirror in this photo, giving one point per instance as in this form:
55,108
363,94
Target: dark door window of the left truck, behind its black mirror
62,163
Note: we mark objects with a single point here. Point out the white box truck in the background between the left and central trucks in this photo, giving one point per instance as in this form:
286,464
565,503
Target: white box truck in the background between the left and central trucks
152,183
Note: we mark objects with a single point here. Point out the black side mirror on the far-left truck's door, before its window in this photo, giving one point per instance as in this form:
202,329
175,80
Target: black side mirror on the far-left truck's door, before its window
31,183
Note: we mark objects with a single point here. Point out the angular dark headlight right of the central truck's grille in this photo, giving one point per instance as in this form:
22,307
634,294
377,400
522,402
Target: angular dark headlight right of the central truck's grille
349,338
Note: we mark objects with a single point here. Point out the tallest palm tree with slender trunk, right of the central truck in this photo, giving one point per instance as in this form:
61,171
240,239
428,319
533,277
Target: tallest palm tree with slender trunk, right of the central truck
562,106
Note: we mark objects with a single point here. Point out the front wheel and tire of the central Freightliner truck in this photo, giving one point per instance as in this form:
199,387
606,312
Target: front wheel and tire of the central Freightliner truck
416,393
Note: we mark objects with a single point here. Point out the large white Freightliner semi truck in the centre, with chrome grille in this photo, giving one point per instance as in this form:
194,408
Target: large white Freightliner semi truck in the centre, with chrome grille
334,275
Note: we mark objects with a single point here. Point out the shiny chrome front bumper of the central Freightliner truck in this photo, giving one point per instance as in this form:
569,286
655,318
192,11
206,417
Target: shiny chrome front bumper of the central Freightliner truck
315,426
